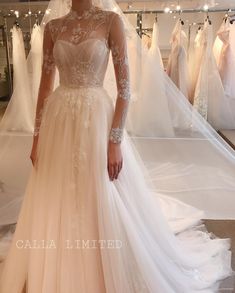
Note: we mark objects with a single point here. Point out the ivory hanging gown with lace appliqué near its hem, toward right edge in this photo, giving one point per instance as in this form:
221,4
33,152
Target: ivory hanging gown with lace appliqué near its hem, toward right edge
209,97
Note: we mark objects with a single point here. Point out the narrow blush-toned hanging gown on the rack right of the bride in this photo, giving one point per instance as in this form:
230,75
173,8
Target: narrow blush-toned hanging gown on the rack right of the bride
177,67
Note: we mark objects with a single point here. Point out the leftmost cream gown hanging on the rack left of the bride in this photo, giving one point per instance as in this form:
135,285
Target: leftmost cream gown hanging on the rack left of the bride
19,113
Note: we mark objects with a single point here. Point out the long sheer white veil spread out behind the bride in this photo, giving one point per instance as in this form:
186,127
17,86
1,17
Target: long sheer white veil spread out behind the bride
183,154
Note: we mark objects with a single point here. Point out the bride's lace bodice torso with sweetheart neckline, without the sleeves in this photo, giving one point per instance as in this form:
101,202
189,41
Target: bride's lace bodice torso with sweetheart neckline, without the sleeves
81,49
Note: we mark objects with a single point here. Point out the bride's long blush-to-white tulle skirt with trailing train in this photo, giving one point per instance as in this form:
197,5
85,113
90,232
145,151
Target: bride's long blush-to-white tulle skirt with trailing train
80,232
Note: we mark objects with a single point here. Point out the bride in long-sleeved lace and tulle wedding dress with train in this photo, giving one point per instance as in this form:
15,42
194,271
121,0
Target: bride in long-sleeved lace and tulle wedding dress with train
89,221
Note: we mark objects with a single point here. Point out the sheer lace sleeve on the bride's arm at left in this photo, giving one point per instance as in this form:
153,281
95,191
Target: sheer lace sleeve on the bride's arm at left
47,76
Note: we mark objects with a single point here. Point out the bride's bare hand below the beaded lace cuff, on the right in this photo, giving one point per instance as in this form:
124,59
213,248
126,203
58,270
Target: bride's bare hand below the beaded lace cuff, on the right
115,160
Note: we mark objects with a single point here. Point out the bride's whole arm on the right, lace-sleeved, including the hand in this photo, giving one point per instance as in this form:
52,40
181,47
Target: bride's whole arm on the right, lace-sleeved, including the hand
117,43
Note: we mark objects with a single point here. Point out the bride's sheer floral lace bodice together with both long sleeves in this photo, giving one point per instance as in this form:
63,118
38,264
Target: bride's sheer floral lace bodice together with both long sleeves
79,46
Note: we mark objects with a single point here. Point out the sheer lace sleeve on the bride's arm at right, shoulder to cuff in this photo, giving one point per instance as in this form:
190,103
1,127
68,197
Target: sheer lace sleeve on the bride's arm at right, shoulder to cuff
117,43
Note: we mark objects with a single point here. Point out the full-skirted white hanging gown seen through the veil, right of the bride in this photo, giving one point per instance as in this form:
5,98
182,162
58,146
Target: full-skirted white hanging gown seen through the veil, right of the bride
155,107
